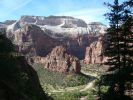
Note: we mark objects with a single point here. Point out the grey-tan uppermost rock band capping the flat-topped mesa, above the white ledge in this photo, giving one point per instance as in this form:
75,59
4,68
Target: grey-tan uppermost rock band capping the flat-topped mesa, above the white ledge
53,21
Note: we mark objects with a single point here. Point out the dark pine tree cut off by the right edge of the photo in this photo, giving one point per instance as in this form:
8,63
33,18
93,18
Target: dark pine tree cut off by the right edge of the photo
126,46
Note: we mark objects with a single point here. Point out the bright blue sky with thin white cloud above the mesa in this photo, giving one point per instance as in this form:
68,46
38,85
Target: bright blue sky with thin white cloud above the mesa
88,10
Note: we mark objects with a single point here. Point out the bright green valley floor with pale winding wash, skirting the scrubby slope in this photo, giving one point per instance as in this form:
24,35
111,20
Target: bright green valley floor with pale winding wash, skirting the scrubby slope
80,92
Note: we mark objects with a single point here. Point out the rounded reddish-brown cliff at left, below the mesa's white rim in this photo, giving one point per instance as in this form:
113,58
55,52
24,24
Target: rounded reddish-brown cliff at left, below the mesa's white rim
32,41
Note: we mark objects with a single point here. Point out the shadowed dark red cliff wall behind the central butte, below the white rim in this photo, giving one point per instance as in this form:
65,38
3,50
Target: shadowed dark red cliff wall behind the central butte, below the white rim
32,40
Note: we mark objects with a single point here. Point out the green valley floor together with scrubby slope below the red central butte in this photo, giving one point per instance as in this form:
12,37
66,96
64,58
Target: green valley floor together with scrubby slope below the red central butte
68,86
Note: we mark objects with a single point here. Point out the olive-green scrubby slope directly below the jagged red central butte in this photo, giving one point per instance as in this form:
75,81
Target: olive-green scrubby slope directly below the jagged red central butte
60,79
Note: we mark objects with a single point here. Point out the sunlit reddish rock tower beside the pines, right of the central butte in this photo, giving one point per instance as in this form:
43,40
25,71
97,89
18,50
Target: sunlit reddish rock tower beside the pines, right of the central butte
94,53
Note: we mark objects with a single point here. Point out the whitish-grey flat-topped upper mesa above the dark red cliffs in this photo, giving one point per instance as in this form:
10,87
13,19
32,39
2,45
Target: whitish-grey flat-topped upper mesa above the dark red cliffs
60,26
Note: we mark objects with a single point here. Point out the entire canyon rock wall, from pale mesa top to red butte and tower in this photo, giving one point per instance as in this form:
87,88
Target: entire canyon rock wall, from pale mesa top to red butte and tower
58,42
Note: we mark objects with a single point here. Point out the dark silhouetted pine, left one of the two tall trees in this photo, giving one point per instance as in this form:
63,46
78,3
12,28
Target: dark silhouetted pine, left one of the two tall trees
113,50
